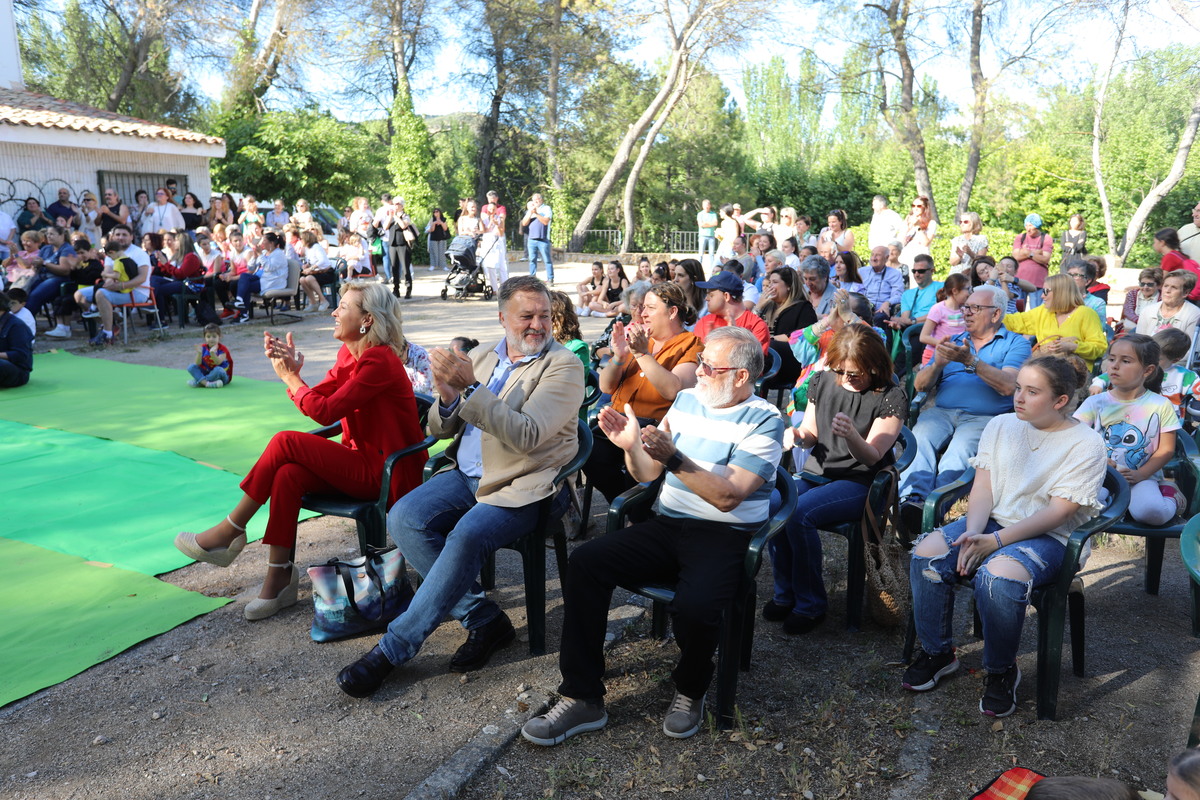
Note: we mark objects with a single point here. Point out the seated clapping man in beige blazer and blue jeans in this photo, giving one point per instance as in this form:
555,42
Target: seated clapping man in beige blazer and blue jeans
512,412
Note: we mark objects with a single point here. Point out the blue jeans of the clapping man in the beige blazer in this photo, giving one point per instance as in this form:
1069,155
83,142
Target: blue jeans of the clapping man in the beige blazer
447,536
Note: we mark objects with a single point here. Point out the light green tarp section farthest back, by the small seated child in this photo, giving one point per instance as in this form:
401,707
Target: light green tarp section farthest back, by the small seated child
154,408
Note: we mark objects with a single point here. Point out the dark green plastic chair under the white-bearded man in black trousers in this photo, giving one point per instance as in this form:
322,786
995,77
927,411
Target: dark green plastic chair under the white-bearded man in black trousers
737,622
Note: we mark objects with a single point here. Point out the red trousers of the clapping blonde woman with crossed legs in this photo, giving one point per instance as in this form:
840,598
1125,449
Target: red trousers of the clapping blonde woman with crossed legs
297,464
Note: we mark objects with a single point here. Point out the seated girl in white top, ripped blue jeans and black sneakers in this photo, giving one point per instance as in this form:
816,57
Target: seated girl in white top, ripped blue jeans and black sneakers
1039,478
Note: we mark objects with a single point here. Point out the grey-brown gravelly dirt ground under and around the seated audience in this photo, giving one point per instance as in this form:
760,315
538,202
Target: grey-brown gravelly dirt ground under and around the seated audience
223,708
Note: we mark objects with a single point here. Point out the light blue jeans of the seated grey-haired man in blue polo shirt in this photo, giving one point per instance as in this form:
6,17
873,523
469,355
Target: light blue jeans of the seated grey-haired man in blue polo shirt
937,428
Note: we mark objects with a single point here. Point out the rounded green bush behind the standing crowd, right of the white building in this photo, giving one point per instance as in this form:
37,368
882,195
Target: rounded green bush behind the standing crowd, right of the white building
292,155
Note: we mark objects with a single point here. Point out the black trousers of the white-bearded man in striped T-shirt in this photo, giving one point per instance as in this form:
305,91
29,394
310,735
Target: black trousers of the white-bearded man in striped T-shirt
704,560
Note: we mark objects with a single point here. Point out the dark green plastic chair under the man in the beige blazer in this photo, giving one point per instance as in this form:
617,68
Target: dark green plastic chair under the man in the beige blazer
532,546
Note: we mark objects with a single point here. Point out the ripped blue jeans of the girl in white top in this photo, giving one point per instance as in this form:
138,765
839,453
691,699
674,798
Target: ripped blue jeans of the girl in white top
1001,601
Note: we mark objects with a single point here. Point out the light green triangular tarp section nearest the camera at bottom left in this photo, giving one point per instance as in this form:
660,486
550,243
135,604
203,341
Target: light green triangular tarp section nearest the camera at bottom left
62,615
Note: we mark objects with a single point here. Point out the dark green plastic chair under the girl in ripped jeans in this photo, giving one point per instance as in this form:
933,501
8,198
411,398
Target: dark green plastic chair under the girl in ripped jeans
1051,600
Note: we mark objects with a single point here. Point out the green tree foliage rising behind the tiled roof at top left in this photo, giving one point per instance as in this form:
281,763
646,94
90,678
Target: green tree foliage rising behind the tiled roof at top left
79,56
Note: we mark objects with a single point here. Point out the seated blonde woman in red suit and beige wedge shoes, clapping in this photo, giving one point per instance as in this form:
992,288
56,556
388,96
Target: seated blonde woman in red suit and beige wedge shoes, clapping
369,392
